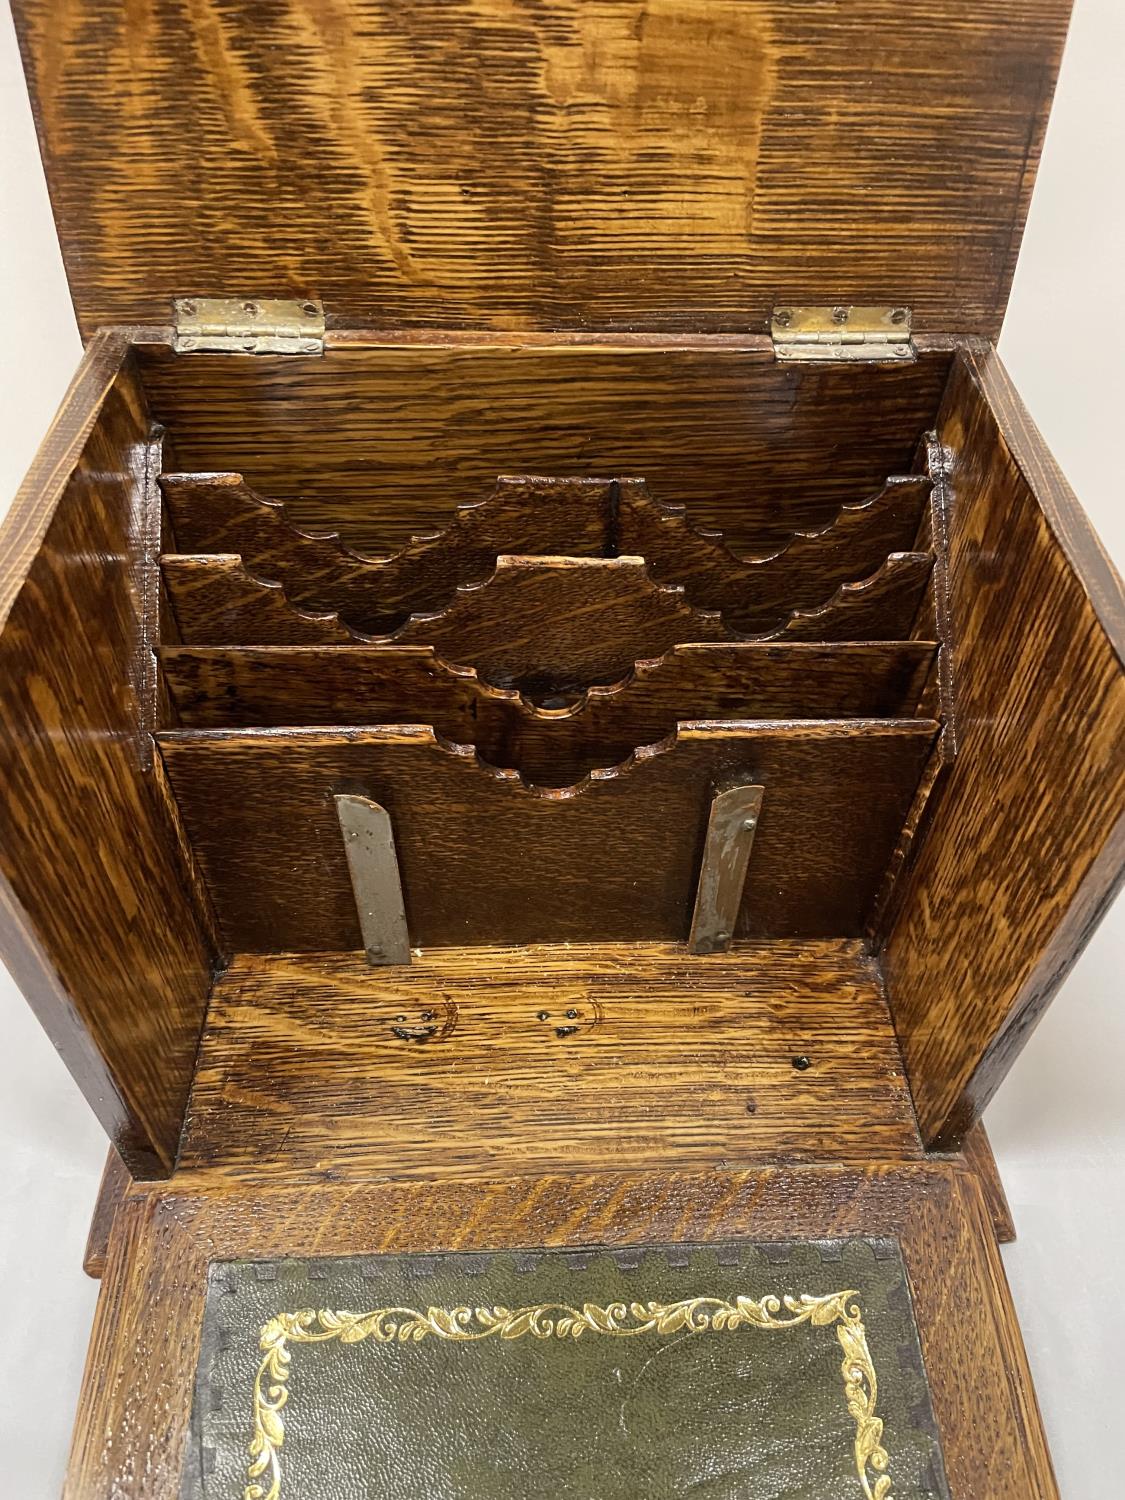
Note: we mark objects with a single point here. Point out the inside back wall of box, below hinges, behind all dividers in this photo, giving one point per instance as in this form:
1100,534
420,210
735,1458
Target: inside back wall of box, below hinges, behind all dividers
383,443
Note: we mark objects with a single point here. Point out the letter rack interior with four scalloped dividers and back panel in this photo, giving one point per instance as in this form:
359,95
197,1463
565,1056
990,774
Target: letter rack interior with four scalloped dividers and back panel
541,610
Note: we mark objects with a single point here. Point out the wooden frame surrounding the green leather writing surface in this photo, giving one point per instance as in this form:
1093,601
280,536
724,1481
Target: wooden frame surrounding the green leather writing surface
133,1417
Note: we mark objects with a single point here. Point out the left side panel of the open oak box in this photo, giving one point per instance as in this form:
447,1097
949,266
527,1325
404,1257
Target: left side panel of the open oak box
98,922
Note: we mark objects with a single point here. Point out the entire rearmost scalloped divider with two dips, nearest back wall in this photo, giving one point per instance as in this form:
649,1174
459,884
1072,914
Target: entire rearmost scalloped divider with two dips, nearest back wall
533,517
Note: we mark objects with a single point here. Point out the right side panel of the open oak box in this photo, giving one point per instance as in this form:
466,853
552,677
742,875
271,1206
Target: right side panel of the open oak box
1028,845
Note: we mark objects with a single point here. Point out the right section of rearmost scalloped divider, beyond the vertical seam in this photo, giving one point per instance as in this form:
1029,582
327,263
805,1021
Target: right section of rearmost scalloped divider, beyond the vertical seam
755,595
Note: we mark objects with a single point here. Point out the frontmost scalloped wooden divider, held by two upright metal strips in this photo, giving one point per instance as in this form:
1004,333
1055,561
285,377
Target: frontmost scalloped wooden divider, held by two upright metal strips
487,860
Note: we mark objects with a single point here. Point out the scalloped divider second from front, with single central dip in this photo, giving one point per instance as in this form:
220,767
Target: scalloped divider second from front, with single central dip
277,686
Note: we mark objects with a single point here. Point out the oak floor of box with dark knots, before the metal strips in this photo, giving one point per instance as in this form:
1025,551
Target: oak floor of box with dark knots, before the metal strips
541,1060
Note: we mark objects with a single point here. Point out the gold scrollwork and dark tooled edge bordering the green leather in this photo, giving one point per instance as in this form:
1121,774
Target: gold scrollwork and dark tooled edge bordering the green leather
838,1313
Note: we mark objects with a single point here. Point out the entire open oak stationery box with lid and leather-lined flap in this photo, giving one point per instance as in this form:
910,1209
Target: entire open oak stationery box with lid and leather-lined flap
560,730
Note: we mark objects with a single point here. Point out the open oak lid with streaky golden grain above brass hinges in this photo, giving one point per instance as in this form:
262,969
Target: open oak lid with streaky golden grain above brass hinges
544,164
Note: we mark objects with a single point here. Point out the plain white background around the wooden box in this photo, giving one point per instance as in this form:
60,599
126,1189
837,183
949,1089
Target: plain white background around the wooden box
1058,1124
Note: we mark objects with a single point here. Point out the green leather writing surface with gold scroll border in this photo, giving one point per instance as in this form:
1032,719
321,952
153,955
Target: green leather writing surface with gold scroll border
736,1370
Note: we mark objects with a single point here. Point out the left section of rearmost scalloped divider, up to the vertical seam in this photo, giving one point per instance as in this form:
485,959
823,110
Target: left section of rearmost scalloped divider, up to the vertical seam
526,515
